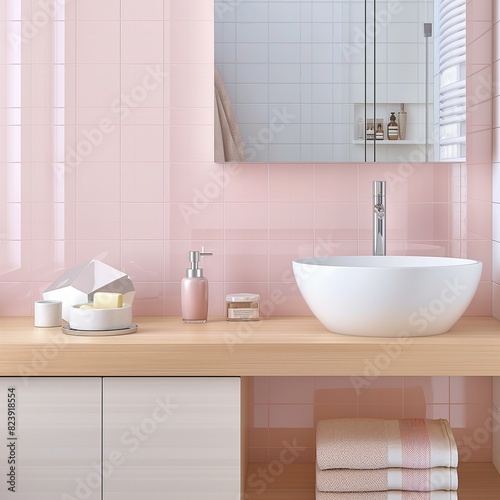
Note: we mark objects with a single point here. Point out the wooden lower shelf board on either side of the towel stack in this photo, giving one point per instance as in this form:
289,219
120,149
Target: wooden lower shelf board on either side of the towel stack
476,481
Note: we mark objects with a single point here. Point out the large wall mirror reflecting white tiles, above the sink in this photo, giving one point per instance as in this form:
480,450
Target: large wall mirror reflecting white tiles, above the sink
319,80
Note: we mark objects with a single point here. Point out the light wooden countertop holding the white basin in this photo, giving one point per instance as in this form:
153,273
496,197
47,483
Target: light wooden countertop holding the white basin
164,346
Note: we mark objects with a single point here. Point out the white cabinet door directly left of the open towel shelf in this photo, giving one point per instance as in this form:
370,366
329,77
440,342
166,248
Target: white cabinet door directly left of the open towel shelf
171,438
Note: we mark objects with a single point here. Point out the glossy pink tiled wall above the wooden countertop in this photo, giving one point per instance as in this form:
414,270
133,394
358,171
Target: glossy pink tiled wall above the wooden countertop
123,172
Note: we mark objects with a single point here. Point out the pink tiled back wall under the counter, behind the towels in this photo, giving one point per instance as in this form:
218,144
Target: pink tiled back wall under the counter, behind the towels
286,409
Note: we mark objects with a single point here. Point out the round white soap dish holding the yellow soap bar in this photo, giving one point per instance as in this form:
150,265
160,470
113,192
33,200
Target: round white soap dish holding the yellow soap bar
89,319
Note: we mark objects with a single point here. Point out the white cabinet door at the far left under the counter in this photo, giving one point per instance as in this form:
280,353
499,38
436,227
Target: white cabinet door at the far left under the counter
50,432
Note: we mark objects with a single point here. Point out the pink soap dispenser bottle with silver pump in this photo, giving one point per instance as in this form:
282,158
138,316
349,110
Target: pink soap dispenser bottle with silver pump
194,291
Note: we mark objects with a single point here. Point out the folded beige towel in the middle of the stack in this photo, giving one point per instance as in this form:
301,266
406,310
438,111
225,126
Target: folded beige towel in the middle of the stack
343,480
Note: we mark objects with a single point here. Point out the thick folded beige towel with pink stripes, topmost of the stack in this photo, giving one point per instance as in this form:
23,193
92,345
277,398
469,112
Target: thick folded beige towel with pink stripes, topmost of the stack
372,443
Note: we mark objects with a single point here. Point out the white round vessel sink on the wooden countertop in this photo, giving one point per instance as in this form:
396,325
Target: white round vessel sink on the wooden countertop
385,296
